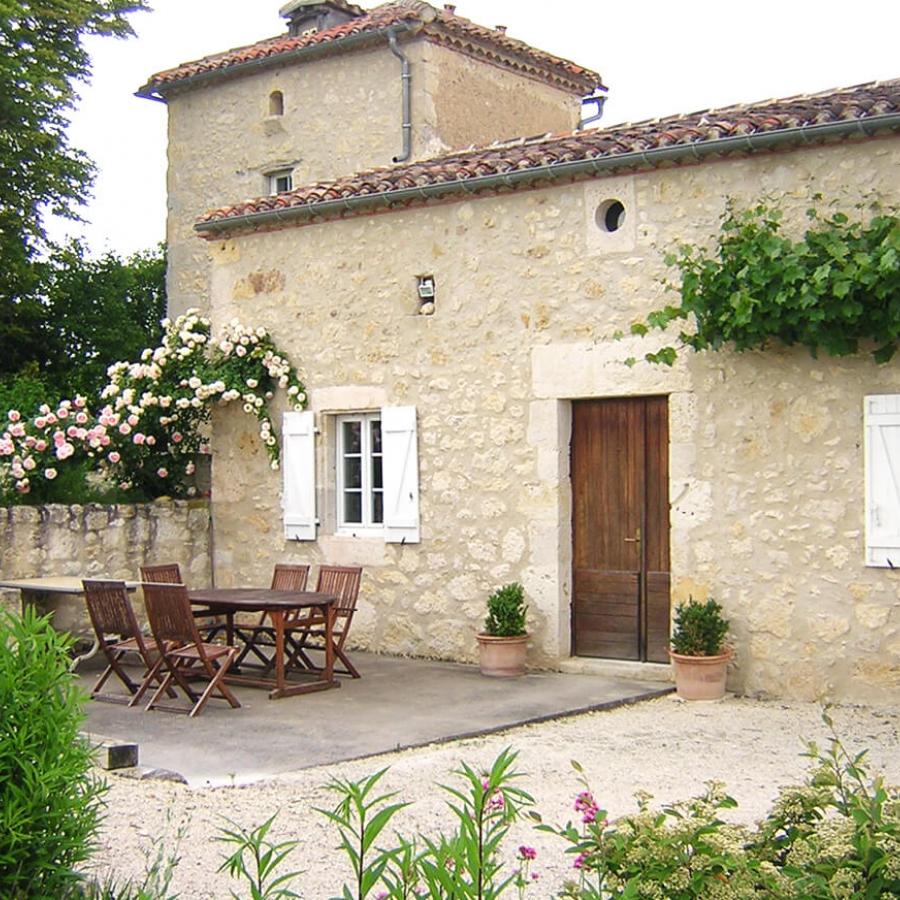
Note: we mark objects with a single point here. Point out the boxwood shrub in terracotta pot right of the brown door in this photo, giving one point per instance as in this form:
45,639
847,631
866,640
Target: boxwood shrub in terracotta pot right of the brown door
700,652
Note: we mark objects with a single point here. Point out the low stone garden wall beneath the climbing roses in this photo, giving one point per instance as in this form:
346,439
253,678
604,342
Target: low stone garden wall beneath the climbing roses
104,541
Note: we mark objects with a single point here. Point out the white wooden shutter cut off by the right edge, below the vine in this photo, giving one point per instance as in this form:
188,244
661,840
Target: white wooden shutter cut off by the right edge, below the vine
882,450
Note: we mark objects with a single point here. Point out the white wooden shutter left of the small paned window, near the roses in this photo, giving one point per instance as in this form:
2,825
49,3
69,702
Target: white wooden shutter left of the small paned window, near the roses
298,464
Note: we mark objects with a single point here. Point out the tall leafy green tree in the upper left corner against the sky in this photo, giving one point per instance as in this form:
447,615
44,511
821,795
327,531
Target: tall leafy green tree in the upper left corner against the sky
42,57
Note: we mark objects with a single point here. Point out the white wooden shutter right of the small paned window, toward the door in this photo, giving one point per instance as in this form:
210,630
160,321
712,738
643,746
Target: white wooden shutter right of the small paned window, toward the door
400,466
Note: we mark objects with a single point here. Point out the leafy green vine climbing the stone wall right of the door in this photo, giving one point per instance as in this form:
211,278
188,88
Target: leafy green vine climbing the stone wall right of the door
834,288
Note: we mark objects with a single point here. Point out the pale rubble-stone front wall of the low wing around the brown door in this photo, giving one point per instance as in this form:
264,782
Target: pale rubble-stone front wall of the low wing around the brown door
766,462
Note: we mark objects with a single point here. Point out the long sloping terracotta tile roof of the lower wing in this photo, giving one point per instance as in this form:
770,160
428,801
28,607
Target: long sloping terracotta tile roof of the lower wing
859,104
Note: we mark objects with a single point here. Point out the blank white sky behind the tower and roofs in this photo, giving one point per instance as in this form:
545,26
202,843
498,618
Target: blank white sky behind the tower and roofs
657,58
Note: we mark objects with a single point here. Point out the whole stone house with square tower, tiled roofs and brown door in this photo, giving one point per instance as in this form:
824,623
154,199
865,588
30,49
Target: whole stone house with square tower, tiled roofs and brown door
471,421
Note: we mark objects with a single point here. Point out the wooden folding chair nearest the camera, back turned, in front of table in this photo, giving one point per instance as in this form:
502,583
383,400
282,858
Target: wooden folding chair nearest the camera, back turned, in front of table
185,654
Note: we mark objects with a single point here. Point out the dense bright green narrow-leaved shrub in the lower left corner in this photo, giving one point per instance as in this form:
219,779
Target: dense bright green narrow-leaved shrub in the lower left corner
49,798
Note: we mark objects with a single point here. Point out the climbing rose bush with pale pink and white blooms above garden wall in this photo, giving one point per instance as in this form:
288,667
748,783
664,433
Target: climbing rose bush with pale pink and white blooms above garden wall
144,439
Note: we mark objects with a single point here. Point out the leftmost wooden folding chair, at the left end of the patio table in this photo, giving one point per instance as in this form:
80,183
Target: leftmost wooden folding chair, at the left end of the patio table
118,634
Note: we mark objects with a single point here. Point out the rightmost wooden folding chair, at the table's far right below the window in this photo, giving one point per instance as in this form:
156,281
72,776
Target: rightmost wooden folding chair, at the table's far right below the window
307,632
